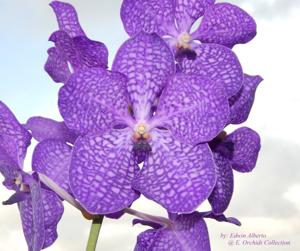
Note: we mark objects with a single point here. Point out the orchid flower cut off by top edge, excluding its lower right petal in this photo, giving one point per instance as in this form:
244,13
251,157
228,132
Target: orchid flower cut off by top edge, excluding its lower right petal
221,23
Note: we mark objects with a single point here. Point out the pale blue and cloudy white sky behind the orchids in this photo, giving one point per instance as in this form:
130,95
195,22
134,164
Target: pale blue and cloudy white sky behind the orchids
267,201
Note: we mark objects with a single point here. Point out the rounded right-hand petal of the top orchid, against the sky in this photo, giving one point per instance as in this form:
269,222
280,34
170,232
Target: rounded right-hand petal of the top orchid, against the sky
226,24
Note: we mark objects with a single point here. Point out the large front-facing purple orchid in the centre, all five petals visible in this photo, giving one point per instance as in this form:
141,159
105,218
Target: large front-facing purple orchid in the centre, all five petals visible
94,103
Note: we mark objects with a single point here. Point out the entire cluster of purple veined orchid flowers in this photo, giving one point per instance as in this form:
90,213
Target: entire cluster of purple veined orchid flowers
153,125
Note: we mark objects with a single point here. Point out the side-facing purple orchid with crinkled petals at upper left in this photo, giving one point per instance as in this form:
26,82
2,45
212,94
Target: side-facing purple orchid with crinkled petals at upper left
72,46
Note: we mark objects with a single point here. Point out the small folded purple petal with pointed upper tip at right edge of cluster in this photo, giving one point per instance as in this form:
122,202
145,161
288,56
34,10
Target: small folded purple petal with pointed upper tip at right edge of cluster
241,103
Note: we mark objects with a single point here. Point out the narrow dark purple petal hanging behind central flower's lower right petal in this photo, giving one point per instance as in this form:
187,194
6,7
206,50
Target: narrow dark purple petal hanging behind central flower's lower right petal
222,193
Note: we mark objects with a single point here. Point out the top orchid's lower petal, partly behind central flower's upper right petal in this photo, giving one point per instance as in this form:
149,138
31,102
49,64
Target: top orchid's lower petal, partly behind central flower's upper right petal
218,63
